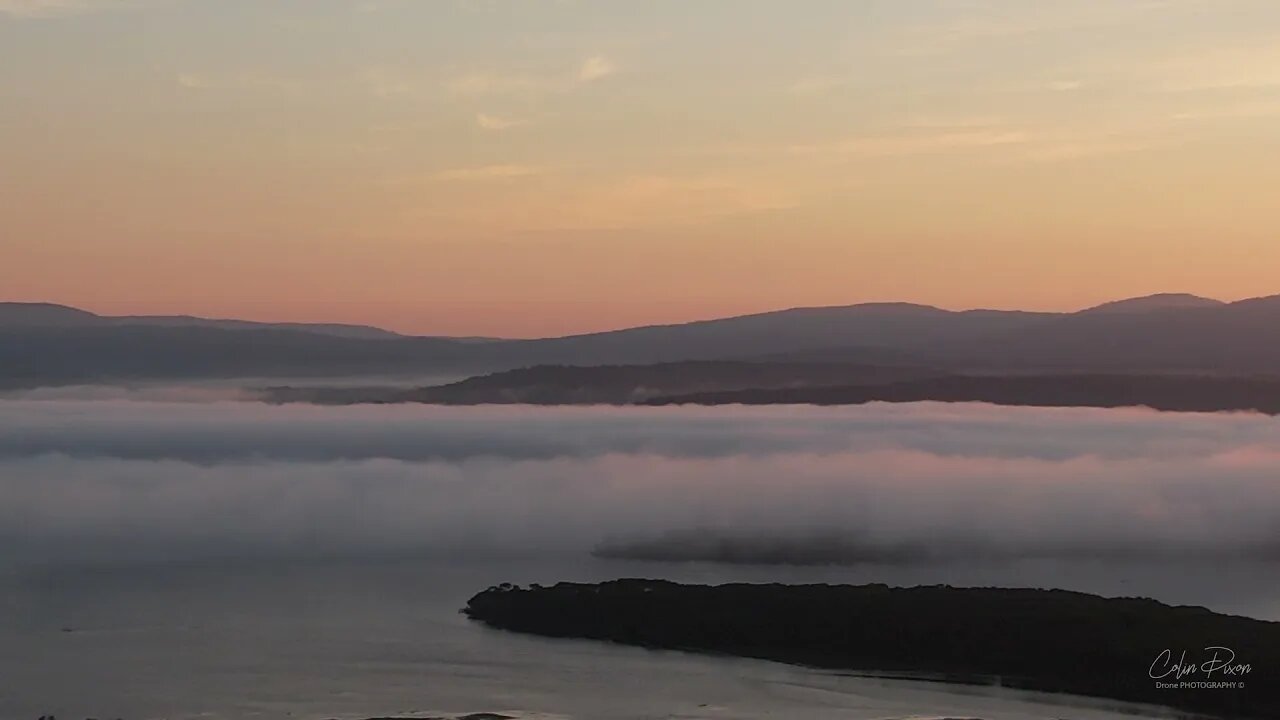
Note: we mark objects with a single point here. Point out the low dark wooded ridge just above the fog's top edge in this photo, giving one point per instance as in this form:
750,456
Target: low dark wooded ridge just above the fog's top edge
761,384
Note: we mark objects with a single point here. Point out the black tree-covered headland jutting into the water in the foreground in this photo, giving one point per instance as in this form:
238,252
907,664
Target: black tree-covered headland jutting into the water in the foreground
1052,641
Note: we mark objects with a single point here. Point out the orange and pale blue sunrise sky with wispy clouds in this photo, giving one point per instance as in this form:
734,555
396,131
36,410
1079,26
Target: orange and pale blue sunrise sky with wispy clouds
548,167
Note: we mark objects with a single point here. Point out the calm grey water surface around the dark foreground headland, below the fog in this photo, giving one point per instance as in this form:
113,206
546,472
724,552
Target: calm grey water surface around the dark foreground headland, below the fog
342,640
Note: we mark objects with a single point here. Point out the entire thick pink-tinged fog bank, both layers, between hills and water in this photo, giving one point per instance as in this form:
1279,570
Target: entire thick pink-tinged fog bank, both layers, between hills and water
106,482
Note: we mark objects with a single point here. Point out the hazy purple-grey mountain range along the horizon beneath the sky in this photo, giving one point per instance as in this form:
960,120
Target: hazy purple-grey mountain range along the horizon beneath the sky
43,344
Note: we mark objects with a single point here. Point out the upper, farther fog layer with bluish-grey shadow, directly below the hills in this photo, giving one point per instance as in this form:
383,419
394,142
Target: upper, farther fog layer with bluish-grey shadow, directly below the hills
235,432
